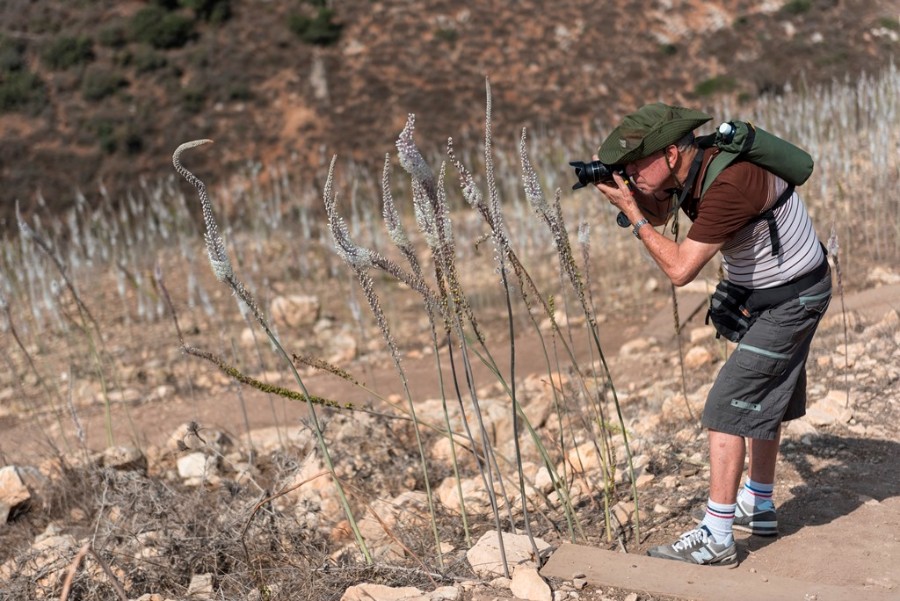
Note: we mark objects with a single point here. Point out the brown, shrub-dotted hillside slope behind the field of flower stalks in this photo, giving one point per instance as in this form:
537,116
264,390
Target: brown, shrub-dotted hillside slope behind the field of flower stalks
114,113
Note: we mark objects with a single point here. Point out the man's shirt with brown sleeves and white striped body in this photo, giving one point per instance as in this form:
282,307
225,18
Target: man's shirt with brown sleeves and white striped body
729,212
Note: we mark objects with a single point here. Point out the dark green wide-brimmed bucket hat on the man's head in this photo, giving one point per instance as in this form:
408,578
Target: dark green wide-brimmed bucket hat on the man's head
649,129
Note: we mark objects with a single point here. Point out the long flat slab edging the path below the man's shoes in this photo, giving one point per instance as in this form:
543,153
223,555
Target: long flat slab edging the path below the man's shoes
699,583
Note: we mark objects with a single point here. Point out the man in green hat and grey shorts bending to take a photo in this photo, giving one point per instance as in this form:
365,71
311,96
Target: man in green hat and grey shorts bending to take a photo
763,383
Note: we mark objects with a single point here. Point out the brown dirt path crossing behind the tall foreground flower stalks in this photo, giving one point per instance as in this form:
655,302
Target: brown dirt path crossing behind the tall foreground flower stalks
154,421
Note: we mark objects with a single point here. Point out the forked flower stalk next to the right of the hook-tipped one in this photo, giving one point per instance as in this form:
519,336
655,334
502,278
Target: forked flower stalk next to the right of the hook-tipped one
360,260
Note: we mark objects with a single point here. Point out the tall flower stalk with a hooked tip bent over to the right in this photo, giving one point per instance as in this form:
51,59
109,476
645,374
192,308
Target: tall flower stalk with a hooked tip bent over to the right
221,265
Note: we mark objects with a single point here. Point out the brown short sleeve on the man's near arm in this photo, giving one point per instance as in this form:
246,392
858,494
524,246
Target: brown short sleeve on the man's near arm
740,193
